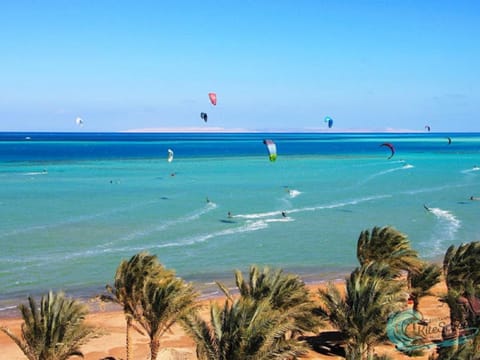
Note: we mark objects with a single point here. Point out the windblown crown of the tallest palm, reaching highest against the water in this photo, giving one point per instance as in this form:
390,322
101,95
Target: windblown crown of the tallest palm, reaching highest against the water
389,246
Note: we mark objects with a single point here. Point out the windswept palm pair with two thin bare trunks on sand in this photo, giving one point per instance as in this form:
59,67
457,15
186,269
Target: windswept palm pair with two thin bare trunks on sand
152,297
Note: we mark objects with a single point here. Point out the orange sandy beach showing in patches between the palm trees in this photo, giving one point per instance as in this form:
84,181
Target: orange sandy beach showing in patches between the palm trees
177,345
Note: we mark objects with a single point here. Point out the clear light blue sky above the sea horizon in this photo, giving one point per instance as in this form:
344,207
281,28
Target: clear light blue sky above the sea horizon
275,65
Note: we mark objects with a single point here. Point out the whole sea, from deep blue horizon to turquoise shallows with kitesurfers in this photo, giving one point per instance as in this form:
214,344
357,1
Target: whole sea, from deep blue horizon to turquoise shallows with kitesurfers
74,205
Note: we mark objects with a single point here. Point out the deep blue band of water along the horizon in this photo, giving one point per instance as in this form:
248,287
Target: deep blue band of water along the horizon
91,146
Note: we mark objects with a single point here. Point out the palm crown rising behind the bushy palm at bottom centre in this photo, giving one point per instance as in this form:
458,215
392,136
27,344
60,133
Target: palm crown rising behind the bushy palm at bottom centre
283,291
